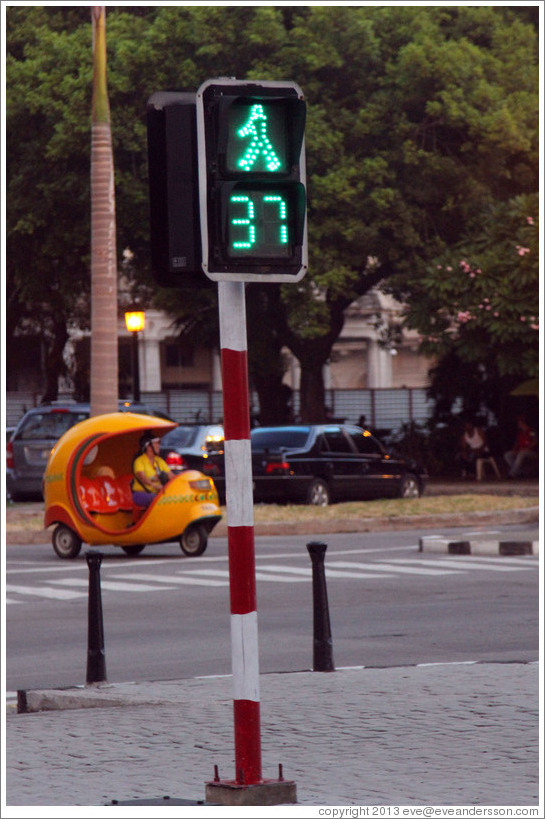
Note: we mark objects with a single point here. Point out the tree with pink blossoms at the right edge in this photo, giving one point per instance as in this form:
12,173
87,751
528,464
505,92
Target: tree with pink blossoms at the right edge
479,301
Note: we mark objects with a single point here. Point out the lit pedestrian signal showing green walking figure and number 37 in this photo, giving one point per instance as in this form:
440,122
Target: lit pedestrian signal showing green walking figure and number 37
252,184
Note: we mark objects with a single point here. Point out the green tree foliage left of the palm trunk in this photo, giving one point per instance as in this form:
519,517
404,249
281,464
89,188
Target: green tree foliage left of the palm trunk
47,233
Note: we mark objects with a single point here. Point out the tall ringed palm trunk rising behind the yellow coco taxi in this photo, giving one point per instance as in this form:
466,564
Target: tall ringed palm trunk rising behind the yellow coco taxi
104,357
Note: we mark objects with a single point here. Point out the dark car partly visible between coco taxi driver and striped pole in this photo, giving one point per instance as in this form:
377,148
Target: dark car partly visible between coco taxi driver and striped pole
197,446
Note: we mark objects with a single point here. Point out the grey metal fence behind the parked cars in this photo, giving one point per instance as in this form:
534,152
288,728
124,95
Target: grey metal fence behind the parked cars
384,409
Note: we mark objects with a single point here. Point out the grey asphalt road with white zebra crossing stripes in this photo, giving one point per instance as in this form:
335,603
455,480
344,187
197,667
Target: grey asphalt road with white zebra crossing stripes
167,616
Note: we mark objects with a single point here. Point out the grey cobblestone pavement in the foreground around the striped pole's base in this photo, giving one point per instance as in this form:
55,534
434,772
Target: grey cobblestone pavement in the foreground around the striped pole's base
450,734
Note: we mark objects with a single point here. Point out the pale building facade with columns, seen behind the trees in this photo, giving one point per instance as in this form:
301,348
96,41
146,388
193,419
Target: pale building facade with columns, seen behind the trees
369,354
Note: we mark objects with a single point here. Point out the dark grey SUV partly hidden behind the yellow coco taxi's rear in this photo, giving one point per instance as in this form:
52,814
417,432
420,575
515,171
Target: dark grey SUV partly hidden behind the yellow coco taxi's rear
39,429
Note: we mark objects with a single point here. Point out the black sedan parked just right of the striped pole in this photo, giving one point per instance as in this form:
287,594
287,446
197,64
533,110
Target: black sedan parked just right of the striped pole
321,463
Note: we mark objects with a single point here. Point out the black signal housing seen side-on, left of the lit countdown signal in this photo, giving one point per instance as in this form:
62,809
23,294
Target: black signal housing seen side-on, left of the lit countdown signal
173,188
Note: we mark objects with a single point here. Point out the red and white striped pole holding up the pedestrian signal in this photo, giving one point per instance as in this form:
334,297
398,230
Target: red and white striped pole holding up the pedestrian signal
240,532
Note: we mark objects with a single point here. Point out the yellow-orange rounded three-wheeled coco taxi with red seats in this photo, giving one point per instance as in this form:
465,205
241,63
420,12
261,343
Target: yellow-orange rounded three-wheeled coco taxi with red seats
88,498
